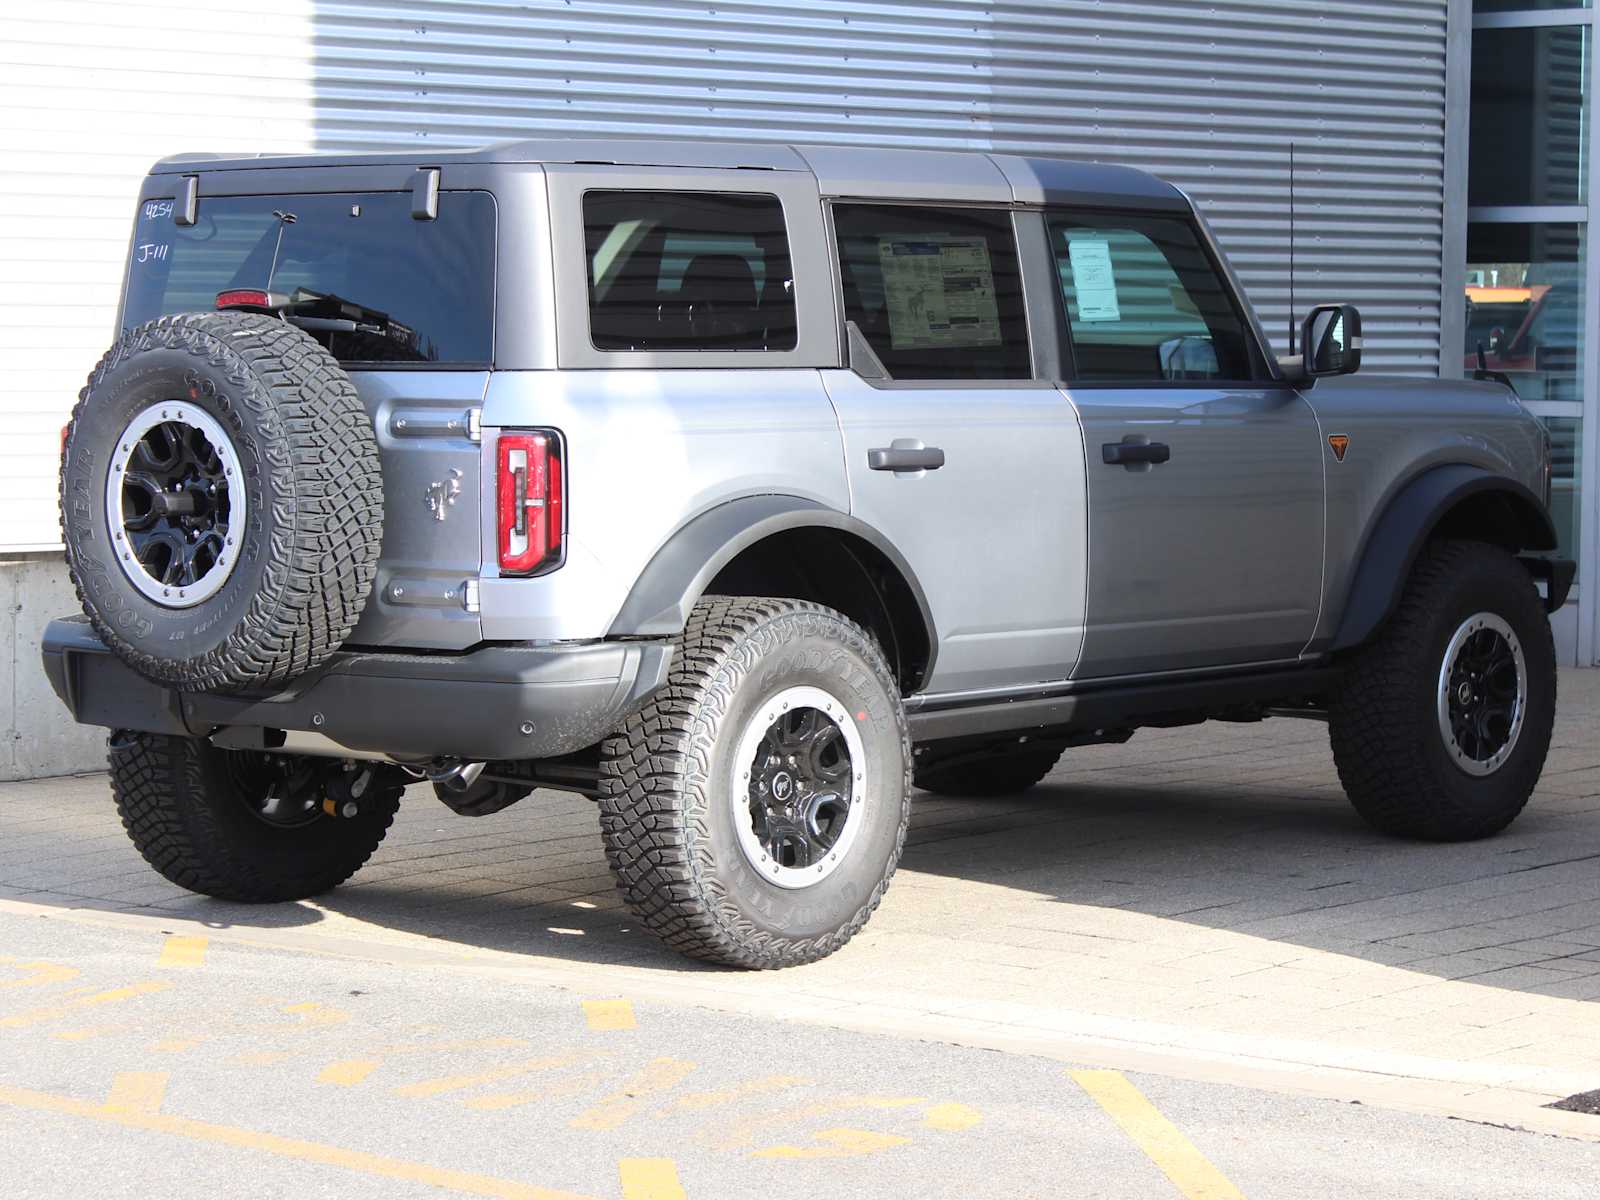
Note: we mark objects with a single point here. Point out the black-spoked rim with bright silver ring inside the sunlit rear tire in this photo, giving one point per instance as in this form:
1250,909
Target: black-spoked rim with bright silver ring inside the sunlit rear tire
799,788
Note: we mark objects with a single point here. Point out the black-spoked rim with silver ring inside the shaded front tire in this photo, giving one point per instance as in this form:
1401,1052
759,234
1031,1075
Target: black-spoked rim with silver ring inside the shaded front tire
1482,697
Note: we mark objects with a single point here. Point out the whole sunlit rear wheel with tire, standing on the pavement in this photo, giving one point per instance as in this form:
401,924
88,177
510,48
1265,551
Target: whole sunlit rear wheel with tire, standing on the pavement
754,810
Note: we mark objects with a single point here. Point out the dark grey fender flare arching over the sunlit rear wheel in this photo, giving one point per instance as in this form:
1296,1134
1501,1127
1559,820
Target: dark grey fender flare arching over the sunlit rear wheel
681,572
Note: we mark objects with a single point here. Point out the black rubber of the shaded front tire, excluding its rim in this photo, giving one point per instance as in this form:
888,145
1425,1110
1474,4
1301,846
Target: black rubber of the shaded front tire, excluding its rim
1375,727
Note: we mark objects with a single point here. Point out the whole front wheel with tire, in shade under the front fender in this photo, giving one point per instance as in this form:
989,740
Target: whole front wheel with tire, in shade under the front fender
1442,724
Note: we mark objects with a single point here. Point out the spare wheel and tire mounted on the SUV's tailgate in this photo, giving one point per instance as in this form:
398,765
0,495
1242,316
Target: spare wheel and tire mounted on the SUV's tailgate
222,502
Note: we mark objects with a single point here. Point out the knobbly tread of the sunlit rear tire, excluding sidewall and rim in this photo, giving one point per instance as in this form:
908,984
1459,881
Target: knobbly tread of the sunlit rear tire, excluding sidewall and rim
655,786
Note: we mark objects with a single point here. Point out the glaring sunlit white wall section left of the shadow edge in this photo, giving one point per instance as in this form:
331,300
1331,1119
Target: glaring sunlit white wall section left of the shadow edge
90,97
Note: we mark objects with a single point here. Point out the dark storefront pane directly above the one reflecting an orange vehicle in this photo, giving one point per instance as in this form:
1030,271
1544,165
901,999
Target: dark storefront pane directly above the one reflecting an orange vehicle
1529,118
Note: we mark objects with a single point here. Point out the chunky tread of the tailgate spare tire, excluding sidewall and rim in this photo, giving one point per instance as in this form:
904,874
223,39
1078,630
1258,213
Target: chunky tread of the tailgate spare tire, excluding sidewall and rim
322,455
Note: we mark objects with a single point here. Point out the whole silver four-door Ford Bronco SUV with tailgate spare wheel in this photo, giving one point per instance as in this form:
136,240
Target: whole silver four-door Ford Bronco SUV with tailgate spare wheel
743,489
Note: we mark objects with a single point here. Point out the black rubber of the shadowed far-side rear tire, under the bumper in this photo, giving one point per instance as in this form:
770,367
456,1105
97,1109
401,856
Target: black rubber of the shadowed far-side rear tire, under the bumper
164,799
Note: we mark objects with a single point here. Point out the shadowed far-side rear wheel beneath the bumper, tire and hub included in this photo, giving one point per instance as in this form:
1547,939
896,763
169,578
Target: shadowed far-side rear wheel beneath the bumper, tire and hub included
246,826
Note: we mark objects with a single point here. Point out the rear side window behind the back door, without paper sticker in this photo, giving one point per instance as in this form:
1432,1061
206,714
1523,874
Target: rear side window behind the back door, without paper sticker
689,271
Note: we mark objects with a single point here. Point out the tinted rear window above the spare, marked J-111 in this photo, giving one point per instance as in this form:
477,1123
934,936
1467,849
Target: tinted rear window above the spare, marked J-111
415,292
